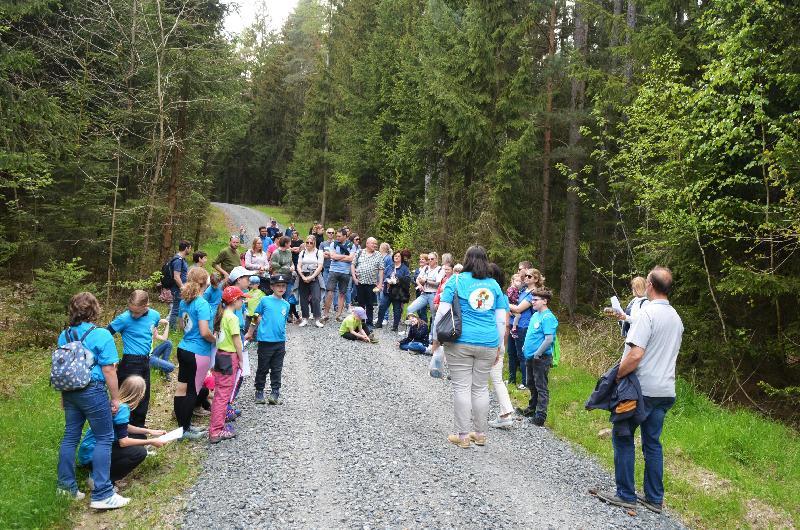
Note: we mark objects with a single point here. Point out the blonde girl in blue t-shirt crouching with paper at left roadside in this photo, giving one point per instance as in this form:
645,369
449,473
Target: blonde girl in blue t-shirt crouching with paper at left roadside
127,452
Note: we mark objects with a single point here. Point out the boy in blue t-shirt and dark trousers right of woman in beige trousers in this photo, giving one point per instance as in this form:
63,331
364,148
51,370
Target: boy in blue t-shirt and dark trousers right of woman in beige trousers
538,351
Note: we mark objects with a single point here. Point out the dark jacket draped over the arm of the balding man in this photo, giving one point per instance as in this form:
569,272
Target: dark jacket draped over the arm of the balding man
609,395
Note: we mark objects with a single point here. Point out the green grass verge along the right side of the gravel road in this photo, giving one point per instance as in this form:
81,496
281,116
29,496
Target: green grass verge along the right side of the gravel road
723,468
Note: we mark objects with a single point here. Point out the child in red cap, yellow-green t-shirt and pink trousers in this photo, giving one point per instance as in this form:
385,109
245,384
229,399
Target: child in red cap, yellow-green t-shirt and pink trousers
226,362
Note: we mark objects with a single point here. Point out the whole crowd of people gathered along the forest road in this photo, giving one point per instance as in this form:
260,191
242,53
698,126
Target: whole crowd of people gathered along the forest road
244,307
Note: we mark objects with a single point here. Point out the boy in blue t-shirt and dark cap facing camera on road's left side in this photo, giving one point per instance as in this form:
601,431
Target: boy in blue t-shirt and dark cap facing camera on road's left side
269,327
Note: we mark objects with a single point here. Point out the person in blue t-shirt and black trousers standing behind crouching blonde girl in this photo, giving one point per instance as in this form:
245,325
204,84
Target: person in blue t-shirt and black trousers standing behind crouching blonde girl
136,327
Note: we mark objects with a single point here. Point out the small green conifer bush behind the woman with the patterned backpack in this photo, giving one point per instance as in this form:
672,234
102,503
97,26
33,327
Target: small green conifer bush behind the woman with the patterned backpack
53,286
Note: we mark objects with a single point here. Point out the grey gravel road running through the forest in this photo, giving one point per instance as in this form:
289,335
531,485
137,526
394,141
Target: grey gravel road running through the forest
360,442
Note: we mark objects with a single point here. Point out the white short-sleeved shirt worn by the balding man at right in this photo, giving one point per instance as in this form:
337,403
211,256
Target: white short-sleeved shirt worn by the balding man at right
658,330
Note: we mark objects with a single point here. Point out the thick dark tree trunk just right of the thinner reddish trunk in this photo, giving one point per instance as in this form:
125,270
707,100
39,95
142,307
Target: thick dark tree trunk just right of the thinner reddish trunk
569,265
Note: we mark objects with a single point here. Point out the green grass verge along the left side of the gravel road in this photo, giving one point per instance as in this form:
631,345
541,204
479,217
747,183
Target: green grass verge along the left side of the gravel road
32,424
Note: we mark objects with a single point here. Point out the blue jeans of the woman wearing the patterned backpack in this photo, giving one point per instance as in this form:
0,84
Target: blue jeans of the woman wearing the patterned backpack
90,403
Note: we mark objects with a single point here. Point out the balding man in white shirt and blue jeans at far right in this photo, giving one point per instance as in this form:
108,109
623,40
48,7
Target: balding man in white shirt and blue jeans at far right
651,351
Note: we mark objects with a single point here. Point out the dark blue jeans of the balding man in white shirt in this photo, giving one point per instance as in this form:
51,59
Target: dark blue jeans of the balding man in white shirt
625,457
